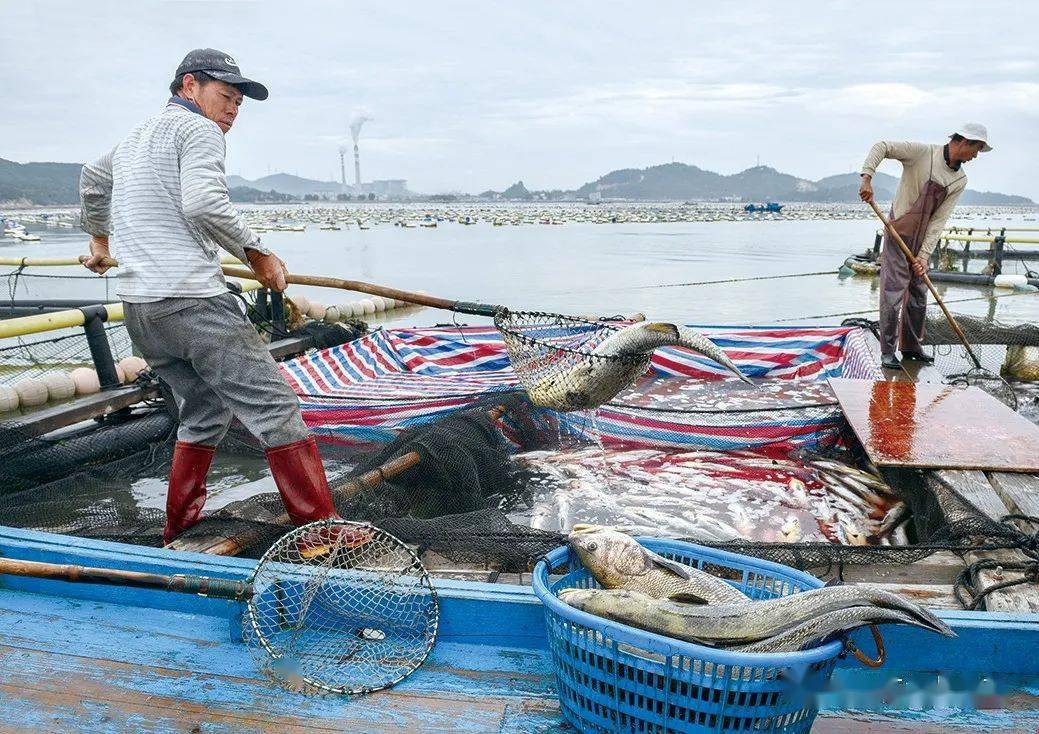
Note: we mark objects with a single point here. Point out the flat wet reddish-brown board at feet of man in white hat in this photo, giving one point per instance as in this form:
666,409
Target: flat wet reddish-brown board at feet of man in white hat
938,427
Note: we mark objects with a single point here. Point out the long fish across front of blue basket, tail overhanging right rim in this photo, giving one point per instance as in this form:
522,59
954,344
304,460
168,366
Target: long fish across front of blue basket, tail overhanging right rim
741,623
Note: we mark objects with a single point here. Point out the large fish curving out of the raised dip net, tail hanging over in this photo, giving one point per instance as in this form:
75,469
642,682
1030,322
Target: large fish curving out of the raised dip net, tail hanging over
618,362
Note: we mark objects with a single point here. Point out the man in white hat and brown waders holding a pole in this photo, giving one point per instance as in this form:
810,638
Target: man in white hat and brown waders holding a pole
933,181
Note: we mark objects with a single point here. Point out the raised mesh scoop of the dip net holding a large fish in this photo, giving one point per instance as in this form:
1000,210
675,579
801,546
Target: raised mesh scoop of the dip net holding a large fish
552,356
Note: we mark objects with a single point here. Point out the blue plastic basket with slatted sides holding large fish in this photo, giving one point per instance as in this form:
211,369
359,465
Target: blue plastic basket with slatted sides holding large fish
616,678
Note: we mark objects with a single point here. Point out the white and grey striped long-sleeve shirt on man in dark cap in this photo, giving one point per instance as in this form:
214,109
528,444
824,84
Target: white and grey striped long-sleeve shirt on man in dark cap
162,197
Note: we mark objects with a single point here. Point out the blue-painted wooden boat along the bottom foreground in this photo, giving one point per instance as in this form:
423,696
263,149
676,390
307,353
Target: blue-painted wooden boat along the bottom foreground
75,658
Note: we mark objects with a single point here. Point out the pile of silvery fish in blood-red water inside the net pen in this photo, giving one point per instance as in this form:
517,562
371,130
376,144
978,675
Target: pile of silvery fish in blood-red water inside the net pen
709,496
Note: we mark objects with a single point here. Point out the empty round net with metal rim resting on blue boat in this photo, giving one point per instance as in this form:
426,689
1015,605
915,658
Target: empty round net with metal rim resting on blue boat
342,608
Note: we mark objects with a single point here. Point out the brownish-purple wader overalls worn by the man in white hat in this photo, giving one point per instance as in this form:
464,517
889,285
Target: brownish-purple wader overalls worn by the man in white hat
903,294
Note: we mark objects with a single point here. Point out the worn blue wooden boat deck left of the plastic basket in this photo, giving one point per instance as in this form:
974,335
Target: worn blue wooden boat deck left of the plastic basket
72,666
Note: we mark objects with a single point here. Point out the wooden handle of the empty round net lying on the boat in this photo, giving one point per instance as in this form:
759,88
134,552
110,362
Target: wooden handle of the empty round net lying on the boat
201,586
